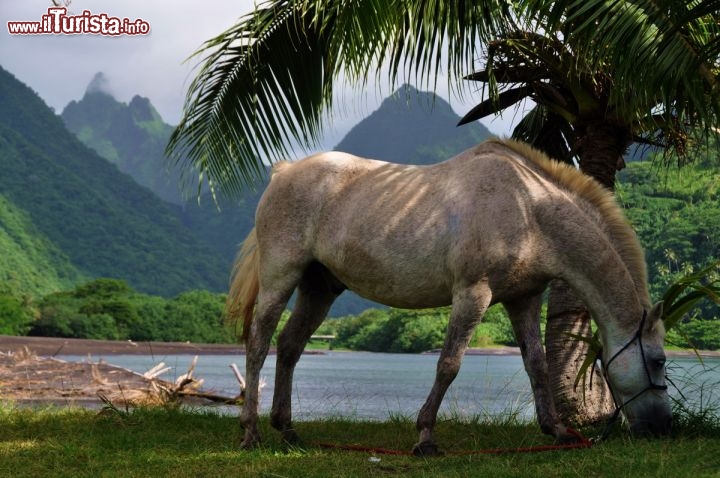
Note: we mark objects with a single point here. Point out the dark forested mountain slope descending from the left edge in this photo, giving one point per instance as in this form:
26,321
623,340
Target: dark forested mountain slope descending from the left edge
99,218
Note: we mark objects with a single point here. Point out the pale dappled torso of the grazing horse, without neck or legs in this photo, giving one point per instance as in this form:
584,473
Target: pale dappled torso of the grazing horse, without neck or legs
408,235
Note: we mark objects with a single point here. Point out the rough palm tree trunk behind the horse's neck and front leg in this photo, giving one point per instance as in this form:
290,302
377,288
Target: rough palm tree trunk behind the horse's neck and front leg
599,147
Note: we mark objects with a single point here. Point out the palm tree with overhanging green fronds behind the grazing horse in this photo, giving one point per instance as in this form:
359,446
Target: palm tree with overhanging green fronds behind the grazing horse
603,74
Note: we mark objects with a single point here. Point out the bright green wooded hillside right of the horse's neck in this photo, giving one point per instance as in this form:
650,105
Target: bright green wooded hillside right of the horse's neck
676,214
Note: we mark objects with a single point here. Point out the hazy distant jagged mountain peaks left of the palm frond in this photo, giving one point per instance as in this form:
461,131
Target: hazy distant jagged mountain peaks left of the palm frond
131,136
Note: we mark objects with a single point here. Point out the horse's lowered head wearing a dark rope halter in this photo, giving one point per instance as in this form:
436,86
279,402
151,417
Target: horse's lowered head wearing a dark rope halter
635,372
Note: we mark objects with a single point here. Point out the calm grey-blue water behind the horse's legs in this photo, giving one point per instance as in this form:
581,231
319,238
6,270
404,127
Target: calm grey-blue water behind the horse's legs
377,386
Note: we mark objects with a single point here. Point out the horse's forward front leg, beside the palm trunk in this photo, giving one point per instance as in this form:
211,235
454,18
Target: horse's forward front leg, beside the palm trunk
525,318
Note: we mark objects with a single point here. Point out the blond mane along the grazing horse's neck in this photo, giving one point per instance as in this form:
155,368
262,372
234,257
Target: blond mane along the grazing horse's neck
619,230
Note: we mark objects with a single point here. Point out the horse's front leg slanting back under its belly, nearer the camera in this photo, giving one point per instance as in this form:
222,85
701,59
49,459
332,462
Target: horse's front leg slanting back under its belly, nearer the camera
468,307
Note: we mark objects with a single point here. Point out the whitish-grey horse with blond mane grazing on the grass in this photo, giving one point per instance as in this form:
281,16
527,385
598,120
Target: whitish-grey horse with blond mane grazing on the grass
494,224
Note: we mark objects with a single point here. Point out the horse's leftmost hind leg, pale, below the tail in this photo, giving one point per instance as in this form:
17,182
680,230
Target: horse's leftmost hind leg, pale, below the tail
267,316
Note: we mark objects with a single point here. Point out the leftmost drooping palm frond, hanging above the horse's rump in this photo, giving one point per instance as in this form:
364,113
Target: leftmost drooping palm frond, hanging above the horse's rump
241,105
